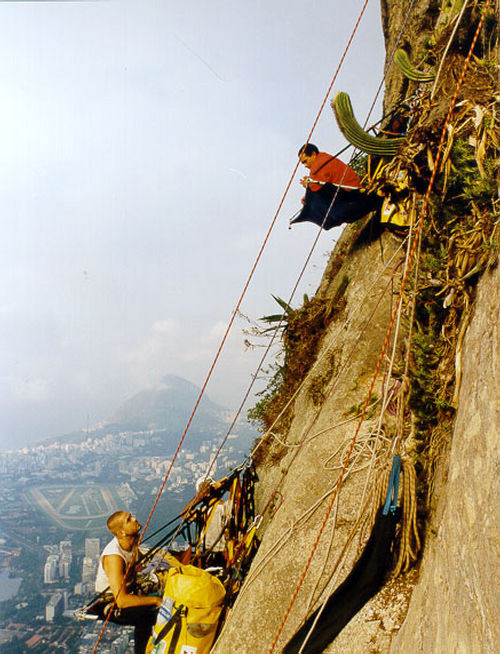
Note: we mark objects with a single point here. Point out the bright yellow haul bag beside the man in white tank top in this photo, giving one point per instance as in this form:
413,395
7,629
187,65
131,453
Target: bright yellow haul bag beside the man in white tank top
188,618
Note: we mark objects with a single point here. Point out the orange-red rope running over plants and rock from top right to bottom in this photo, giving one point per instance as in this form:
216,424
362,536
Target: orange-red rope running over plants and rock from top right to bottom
391,323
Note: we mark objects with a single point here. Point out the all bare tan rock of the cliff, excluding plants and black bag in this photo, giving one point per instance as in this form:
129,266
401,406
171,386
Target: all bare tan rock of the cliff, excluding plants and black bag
314,534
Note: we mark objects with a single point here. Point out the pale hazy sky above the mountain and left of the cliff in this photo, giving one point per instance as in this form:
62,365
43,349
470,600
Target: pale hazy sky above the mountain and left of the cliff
145,147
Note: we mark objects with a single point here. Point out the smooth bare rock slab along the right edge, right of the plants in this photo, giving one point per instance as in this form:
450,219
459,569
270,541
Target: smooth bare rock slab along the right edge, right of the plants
454,607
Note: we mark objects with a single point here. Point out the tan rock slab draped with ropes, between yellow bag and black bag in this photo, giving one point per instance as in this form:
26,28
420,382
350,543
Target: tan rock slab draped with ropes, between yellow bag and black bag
314,448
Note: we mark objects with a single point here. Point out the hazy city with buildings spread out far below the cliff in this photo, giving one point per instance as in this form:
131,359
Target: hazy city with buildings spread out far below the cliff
56,499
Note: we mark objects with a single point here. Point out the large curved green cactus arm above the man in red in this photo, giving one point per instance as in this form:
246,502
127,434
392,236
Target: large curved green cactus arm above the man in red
355,134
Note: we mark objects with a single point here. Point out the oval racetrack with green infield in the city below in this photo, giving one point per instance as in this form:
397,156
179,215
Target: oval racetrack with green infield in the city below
76,507
